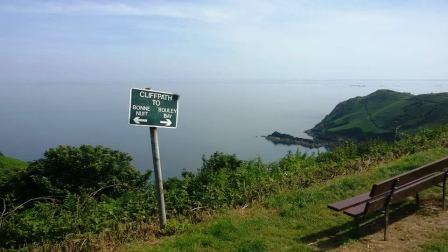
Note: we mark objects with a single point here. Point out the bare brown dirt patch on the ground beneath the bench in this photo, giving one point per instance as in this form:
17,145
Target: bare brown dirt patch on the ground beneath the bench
406,234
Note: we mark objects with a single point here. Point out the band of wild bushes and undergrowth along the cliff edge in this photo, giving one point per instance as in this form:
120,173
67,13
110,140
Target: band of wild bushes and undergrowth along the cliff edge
91,192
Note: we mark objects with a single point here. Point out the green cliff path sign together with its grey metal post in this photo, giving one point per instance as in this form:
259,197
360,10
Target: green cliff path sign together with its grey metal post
154,109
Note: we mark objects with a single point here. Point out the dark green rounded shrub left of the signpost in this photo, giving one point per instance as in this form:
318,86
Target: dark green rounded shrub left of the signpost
79,170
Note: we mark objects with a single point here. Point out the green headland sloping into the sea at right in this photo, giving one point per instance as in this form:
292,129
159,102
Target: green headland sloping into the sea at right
381,114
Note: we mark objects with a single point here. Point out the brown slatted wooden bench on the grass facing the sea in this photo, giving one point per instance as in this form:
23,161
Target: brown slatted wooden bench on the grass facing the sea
395,189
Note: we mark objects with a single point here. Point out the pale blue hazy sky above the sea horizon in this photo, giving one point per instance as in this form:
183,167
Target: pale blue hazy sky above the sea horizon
100,41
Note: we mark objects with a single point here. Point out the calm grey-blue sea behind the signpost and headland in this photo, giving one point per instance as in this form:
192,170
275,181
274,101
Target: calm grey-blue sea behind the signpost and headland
213,116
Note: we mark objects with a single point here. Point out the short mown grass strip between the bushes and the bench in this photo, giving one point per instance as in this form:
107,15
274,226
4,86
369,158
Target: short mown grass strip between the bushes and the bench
292,220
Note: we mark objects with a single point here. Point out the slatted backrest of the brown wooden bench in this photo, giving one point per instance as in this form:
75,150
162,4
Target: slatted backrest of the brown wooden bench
409,176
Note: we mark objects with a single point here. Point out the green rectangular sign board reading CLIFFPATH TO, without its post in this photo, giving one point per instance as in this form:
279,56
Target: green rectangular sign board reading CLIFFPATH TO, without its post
153,108
